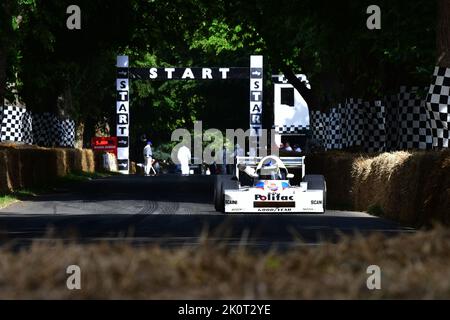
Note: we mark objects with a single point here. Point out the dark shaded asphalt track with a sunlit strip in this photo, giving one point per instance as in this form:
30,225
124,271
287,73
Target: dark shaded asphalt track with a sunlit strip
168,210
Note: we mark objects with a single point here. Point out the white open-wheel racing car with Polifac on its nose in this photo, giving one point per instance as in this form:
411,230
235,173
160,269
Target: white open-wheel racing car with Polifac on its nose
264,185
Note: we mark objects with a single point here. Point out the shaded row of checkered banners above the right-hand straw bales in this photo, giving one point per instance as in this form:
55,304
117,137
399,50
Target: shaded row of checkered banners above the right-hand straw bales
398,122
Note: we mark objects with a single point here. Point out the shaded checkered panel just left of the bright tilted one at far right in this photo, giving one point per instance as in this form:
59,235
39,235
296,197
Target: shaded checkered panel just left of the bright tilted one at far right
413,120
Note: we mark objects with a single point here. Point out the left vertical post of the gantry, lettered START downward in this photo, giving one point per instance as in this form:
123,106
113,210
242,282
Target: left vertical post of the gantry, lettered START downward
123,114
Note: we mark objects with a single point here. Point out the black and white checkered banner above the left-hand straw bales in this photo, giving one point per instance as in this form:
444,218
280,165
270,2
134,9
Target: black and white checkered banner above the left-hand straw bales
19,125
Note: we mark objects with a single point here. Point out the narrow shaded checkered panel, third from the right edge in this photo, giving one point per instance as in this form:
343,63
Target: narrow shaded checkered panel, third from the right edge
374,127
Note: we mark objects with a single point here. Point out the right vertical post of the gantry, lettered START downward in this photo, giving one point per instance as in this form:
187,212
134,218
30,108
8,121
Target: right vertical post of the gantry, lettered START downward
256,100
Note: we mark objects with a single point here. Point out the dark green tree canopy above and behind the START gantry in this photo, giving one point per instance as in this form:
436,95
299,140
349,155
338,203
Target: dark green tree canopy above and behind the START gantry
72,71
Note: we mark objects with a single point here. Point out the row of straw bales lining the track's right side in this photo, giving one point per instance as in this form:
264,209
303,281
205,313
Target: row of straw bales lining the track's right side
410,187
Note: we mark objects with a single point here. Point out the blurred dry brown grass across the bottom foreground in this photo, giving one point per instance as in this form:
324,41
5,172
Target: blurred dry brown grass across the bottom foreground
412,266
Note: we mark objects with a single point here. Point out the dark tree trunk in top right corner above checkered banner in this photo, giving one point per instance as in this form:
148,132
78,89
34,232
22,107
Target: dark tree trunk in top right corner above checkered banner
443,33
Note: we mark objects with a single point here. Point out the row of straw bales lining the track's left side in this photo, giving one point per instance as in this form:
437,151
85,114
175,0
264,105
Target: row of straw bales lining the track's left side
24,166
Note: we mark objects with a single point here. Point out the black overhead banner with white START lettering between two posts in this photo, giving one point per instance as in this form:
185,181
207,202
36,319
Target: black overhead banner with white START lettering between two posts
186,73
